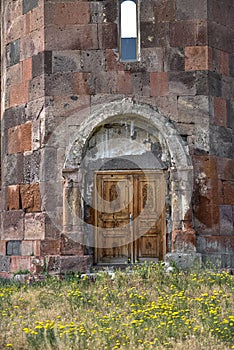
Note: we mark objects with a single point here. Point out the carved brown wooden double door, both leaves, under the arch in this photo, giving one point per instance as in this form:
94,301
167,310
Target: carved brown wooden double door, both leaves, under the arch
129,216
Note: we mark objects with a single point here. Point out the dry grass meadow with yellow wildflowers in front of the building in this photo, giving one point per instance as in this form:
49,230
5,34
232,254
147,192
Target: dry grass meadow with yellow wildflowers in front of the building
146,308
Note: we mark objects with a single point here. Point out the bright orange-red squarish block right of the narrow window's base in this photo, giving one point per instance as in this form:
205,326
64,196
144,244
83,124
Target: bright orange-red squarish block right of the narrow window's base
197,57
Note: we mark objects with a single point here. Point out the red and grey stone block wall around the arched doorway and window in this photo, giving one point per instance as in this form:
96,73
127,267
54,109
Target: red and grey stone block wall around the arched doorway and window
60,63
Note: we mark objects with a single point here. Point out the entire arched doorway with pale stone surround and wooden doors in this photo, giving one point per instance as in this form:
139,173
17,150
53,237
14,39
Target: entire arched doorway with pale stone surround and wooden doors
134,180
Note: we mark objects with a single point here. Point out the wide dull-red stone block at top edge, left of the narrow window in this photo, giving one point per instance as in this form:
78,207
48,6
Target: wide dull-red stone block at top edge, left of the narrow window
72,13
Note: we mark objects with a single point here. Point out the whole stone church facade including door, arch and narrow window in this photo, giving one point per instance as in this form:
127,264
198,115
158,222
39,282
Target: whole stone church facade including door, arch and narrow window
110,156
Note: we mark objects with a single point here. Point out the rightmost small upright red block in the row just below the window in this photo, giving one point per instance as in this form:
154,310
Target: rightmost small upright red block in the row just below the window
159,83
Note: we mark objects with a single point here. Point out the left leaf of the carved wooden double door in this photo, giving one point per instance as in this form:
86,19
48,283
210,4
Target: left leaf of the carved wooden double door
114,201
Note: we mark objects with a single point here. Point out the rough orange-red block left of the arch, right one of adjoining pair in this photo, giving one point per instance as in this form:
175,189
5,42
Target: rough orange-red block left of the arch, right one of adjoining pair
30,197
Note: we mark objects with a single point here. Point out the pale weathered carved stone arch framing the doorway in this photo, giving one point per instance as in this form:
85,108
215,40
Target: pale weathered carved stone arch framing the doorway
180,169
